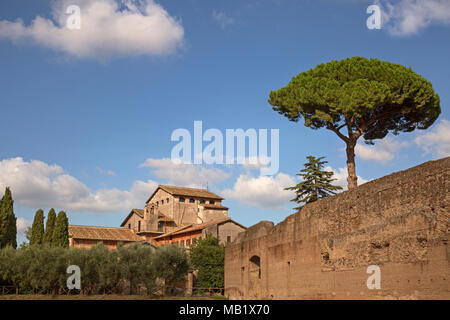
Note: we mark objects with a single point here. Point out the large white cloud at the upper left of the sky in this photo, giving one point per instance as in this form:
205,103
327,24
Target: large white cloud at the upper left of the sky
109,28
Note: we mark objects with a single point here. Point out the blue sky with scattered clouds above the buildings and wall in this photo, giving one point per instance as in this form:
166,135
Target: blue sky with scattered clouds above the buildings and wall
80,116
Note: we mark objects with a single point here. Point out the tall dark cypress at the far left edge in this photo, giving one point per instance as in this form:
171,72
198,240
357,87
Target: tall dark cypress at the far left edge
8,228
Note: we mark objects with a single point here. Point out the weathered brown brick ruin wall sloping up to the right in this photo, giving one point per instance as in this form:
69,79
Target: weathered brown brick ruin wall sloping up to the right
400,222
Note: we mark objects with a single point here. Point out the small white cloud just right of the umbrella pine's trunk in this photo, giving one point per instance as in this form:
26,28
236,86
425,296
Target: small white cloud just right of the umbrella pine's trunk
383,151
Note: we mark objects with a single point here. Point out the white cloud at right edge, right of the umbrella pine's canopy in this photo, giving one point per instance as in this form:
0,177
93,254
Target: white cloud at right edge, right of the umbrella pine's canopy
437,140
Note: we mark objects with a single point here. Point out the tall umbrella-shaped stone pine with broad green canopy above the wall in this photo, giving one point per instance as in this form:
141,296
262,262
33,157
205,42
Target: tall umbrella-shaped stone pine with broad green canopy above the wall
363,97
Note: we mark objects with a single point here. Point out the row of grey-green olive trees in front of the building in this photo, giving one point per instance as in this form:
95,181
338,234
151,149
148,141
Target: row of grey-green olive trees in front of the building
42,269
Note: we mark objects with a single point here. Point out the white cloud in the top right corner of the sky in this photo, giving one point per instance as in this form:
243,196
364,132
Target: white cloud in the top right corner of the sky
407,17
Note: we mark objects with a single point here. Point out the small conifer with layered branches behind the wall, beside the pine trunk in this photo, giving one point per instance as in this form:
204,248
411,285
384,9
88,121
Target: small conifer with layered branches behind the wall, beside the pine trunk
316,182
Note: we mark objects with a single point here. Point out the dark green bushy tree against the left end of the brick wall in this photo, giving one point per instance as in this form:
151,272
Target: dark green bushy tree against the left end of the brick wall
208,257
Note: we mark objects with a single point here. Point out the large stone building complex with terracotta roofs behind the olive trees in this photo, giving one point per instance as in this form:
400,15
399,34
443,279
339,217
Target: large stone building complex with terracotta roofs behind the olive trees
171,215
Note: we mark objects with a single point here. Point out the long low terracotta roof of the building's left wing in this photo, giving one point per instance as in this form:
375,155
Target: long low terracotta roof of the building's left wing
102,233
